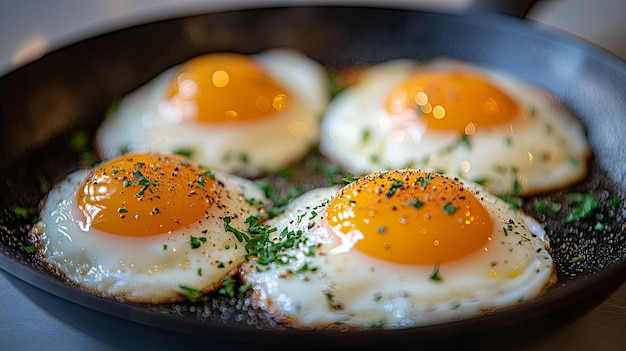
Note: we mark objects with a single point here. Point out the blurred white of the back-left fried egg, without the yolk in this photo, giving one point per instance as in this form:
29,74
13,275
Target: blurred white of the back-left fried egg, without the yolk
142,123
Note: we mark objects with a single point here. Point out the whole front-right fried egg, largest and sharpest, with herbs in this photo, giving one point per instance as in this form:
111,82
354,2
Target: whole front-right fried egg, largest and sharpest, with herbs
398,249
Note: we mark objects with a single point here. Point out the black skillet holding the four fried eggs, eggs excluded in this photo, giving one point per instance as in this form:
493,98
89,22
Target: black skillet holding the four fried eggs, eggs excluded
45,103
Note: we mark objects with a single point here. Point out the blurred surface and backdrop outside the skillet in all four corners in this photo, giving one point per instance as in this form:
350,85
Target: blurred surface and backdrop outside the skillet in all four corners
31,28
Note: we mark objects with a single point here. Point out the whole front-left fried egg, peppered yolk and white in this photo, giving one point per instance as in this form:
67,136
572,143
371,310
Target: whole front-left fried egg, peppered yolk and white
145,227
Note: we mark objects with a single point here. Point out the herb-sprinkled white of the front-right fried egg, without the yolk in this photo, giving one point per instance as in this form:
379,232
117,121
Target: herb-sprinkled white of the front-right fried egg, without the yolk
352,289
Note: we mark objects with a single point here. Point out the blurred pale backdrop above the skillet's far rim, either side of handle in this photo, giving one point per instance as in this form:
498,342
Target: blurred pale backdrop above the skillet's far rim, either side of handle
30,28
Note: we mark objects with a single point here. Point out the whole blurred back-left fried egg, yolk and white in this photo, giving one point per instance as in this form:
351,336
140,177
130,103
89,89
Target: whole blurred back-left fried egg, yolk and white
231,112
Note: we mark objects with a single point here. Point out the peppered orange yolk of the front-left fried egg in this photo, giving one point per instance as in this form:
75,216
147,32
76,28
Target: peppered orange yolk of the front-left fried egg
146,194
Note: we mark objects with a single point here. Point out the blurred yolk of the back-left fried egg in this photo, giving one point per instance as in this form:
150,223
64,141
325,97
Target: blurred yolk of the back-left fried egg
224,87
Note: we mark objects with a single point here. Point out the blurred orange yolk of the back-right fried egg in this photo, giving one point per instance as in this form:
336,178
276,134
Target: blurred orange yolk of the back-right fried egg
456,99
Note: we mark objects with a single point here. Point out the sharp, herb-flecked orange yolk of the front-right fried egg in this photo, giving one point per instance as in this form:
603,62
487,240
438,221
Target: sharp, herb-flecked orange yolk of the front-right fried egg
410,217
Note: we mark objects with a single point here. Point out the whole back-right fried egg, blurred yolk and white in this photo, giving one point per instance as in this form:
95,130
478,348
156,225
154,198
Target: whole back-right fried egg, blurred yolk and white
458,119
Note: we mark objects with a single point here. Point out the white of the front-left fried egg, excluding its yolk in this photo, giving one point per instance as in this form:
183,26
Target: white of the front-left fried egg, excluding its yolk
153,269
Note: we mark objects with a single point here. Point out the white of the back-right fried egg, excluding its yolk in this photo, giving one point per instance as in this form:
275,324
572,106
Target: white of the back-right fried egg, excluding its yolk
546,148
